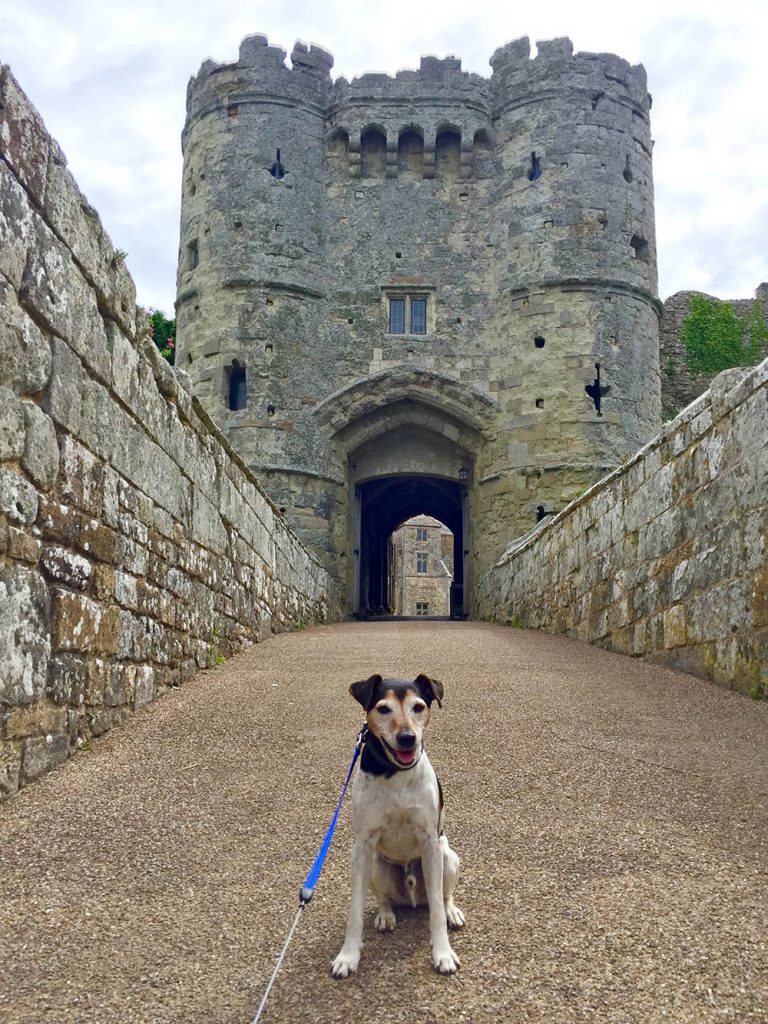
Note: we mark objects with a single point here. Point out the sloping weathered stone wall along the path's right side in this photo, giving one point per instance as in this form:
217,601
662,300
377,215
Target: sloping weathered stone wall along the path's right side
667,557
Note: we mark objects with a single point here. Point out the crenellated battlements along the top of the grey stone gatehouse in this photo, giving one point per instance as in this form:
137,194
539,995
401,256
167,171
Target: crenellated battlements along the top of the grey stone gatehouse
518,79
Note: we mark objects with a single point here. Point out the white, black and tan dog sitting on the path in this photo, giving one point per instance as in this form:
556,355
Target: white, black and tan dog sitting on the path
400,850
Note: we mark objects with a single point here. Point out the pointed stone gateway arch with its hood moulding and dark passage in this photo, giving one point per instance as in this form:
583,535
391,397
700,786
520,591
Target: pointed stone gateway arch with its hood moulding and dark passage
407,442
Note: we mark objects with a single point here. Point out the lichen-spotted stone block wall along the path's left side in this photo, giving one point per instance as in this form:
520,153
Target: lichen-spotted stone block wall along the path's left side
136,547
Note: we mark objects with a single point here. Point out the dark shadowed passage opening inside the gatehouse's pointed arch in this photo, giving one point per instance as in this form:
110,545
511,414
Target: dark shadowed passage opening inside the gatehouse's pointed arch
382,505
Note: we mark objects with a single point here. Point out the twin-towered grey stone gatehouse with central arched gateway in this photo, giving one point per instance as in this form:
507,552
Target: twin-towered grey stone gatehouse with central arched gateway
434,293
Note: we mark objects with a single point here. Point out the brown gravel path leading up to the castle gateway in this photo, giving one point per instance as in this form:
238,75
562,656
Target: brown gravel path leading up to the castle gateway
611,818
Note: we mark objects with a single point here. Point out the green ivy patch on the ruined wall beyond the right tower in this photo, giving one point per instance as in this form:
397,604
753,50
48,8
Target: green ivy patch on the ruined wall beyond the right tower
717,339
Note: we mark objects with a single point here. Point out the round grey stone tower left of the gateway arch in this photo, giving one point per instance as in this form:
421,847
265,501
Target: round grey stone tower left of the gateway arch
252,273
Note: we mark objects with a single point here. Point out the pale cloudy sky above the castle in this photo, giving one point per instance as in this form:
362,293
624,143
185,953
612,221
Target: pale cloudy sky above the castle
110,81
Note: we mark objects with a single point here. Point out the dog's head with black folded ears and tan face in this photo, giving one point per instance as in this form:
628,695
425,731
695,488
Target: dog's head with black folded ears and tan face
398,713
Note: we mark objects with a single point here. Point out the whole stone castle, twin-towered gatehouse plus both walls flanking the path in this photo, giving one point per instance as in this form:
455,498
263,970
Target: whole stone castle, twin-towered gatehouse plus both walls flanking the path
439,298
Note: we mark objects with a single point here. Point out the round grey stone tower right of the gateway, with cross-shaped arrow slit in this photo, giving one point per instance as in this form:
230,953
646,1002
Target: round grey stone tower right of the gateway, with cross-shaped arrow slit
575,244
